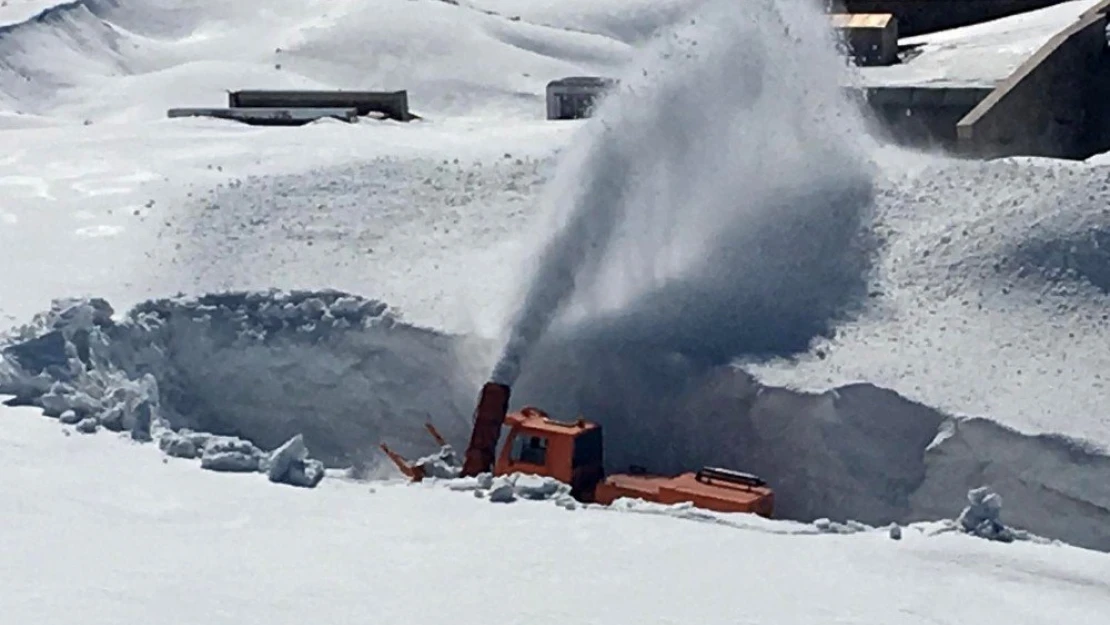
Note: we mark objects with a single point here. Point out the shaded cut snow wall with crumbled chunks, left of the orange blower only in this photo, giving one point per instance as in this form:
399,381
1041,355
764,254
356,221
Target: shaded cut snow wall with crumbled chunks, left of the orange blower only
265,367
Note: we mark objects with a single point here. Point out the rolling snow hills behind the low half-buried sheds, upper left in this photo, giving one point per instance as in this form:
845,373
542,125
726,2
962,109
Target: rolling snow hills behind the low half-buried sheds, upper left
106,61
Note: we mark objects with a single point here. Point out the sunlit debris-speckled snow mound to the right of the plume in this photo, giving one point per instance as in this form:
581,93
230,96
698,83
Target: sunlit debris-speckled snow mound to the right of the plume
990,296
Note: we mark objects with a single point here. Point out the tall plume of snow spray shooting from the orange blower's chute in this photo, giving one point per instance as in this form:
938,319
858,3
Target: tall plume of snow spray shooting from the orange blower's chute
714,205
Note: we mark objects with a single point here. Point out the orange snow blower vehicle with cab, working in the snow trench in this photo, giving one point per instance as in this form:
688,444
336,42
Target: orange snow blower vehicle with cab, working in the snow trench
572,452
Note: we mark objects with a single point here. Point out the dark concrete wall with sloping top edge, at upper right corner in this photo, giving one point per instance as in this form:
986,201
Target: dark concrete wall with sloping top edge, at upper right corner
1048,107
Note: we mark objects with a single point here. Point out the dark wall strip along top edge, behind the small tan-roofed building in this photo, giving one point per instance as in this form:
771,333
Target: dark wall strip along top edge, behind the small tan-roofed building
917,17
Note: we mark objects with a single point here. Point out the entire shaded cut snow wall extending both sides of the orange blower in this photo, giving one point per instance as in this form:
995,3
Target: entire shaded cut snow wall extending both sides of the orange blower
347,374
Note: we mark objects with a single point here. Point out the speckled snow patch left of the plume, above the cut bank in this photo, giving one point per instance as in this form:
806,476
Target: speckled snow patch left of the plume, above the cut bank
436,228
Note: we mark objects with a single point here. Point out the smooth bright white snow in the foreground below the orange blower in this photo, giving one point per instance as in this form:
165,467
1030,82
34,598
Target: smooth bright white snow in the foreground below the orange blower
112,535
